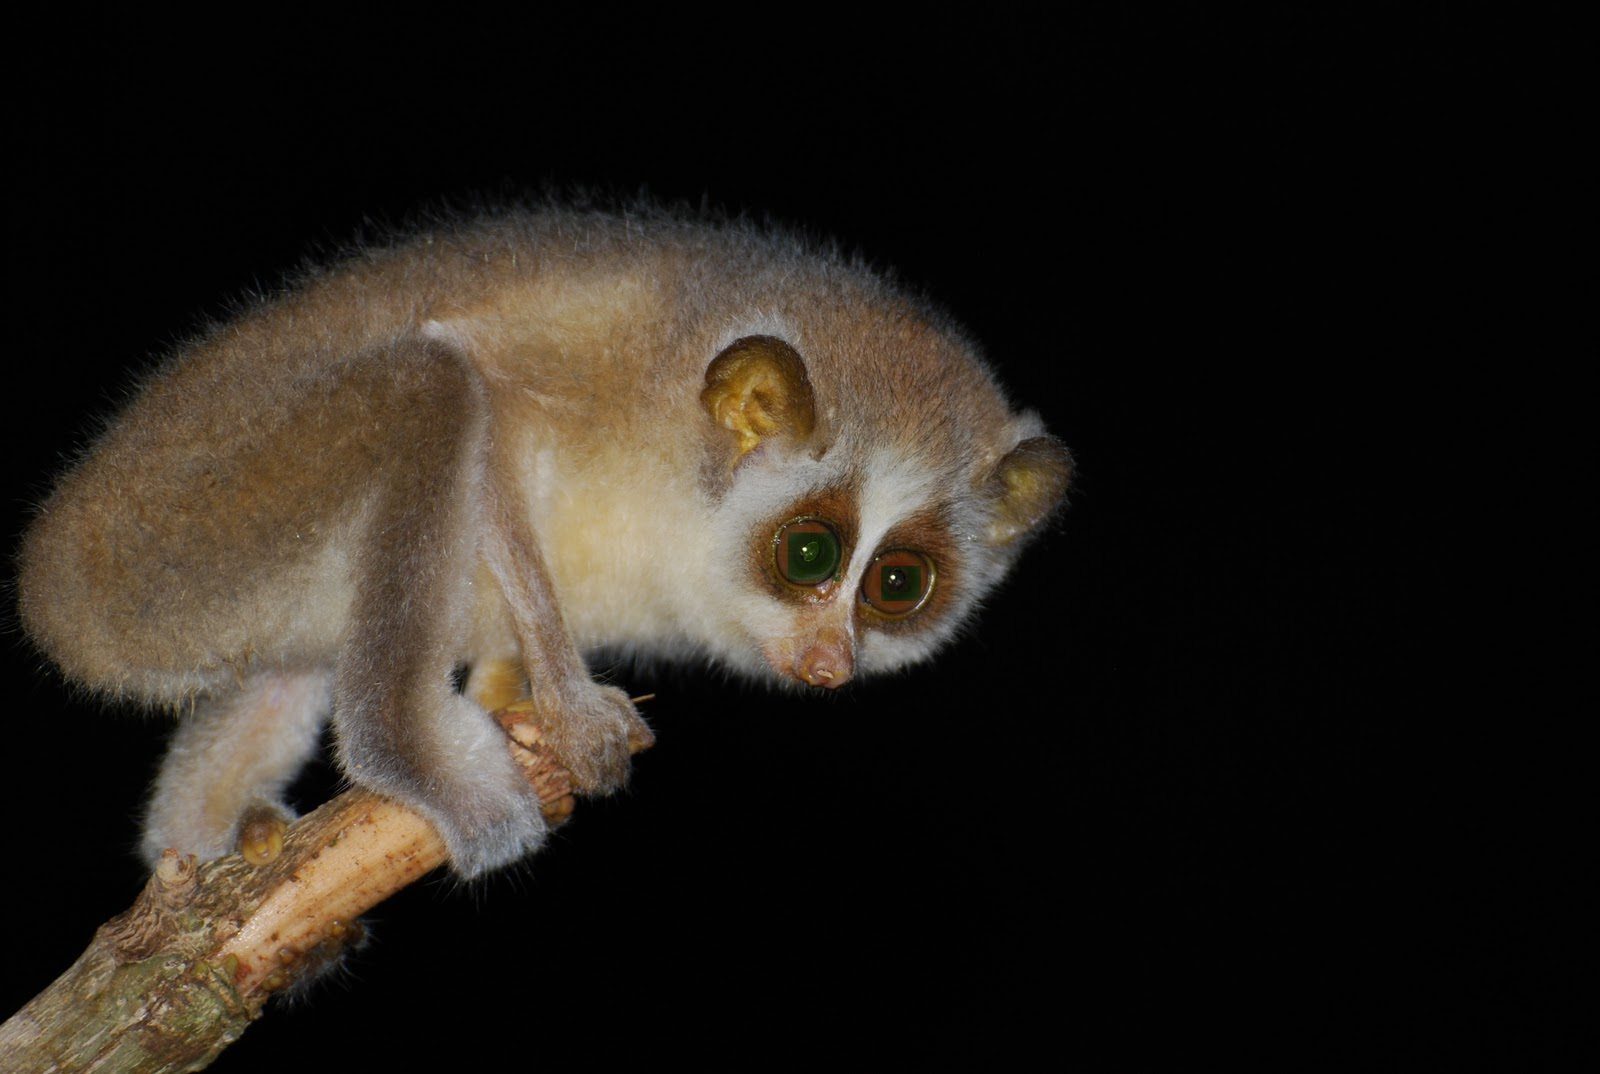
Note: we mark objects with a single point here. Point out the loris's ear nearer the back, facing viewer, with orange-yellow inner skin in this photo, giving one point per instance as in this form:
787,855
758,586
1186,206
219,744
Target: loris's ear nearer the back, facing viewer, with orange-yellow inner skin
758,388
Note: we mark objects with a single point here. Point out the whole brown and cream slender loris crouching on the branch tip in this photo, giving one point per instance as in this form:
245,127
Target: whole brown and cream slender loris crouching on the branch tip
498,446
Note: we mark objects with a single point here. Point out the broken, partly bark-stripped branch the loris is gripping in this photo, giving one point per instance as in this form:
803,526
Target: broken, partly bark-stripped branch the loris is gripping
180,976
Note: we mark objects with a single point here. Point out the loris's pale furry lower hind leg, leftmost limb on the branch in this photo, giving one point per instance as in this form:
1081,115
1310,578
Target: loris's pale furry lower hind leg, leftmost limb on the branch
231,758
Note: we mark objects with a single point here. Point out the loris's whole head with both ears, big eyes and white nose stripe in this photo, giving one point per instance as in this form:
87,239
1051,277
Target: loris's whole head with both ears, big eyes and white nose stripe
871,487
